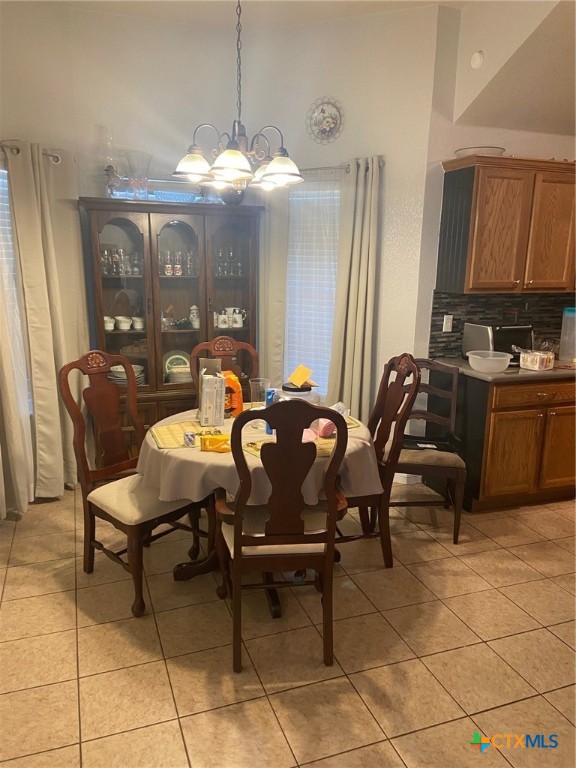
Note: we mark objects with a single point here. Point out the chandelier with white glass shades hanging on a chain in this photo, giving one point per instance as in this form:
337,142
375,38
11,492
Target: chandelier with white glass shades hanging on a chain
237,164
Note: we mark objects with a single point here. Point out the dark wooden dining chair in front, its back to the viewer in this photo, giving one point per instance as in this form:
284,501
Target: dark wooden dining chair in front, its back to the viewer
286,534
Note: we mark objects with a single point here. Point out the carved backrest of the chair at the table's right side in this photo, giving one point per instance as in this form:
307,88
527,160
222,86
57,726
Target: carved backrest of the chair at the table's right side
393,406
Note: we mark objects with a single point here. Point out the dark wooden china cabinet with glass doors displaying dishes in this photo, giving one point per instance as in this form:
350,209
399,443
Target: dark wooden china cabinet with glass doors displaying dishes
154,261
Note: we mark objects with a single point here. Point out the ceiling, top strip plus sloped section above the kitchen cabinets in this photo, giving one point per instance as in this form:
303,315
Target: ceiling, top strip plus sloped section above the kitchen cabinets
534,91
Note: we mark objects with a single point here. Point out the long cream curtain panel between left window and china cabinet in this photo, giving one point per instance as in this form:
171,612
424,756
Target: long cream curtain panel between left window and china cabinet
47,241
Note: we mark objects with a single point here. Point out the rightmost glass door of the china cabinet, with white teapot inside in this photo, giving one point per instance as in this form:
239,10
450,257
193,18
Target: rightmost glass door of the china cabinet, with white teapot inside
231,243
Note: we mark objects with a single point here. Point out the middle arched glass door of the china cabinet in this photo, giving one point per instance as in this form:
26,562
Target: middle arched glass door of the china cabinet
178,264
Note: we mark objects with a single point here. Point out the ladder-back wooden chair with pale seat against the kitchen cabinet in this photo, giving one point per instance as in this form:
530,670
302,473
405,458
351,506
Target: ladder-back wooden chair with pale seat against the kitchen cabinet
434,456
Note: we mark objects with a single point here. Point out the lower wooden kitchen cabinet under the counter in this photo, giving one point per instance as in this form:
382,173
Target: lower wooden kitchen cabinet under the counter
518,441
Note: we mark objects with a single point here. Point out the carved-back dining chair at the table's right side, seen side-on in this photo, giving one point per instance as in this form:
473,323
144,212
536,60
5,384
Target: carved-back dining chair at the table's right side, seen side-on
396,396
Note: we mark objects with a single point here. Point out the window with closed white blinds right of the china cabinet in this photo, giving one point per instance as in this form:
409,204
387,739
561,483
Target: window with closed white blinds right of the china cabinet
311,275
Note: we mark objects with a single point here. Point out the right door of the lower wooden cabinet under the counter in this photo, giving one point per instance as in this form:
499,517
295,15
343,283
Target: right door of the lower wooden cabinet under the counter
557,469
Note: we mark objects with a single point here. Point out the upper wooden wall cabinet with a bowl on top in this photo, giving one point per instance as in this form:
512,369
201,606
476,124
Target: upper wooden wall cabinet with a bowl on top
507,226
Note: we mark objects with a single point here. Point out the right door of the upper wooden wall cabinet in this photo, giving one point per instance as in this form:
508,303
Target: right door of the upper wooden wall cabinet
550,260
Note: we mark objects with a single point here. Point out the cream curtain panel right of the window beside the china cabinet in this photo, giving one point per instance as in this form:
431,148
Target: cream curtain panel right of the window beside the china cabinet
353,353
